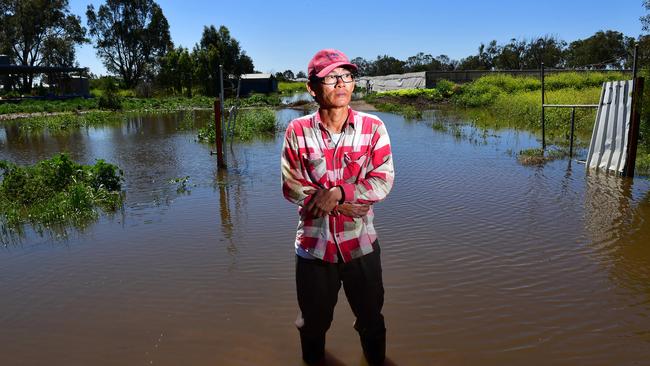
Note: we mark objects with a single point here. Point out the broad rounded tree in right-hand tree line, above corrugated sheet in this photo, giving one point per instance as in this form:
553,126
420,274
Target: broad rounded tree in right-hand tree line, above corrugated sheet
603,49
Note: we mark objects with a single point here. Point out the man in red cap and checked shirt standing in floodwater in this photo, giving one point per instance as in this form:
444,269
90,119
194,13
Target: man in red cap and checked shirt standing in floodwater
336,163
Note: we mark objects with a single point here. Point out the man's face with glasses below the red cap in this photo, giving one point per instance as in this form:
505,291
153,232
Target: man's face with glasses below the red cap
335,95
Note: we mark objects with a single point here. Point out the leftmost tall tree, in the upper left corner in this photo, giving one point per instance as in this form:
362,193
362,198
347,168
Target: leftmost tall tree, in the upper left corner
39,33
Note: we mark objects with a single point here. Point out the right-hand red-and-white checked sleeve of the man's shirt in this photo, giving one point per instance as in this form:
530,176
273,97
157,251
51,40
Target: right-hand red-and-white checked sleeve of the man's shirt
378,181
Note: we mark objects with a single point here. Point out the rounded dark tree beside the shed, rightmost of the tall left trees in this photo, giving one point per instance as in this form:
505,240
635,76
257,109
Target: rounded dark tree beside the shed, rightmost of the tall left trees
216,48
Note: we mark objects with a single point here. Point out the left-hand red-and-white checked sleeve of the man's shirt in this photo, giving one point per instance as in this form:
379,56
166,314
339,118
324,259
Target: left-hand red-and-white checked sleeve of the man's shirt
293,181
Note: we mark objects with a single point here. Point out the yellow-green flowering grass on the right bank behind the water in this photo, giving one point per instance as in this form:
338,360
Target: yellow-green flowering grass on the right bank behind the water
505,101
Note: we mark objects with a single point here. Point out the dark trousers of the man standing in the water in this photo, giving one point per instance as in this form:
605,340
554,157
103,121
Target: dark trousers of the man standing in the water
318,284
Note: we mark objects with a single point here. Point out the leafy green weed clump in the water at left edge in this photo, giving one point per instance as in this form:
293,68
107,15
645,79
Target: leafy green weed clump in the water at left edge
57,191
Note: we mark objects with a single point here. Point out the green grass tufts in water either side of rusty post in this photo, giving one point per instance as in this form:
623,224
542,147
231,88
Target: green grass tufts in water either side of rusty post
249,123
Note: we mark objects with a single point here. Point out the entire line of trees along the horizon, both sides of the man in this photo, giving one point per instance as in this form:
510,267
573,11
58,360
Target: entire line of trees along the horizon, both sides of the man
132,39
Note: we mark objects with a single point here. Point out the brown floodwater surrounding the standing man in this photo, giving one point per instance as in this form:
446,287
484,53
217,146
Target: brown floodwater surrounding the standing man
486,261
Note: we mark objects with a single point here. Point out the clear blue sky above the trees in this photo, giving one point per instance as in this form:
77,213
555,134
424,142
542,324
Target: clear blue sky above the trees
284,35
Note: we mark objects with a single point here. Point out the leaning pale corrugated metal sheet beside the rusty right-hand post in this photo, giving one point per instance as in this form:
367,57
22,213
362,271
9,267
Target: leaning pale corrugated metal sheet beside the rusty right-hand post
609,140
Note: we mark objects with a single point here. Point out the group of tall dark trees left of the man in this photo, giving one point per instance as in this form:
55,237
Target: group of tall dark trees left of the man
131,38
